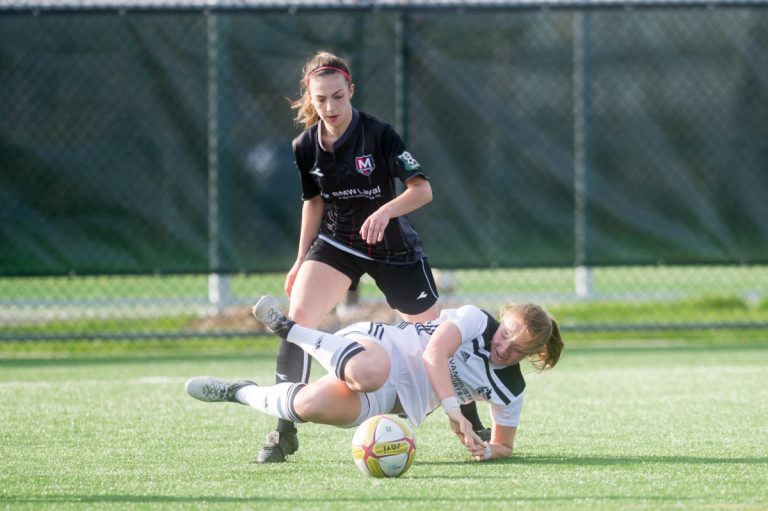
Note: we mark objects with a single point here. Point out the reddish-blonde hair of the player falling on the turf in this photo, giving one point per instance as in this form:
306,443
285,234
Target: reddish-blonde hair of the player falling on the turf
544,343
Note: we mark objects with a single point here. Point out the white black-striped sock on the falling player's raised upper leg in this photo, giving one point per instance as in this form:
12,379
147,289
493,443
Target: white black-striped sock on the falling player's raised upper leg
331,351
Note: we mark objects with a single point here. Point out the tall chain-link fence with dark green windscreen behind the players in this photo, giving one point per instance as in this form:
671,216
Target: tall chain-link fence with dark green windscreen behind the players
608,163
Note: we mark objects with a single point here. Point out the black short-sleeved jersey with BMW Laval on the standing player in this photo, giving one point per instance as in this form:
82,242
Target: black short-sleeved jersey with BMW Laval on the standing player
355,178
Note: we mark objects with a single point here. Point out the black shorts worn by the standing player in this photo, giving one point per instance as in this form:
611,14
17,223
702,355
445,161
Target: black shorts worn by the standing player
408,288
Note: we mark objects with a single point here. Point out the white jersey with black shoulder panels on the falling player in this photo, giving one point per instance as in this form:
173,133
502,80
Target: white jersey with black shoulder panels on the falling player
473,375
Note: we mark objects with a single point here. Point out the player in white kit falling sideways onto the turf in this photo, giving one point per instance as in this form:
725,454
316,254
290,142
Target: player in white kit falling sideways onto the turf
411,368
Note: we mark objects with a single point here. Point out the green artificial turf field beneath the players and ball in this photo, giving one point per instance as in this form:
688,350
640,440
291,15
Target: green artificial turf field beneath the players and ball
622,424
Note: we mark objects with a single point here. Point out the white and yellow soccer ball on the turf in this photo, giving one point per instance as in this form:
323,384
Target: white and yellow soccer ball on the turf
383,446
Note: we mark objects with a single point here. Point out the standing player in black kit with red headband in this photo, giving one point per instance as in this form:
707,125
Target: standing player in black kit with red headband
353,221
